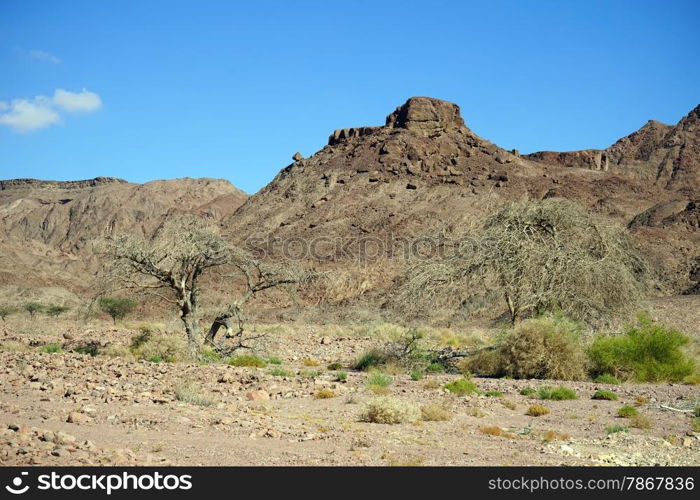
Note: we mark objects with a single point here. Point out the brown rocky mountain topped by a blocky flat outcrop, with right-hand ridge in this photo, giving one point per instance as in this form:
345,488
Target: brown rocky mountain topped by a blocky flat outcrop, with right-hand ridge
425,170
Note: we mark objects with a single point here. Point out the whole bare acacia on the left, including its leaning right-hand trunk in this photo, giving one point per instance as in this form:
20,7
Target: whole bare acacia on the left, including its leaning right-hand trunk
172,264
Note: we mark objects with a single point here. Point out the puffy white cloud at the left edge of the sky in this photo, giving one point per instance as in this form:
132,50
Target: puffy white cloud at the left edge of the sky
28,115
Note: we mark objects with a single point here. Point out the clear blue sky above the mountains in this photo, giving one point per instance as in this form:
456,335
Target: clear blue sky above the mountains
162,89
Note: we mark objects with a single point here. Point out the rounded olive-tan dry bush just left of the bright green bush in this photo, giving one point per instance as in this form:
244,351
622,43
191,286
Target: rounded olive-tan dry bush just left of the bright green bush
547,347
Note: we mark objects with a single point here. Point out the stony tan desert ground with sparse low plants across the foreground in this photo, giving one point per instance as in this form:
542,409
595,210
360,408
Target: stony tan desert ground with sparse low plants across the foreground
69,407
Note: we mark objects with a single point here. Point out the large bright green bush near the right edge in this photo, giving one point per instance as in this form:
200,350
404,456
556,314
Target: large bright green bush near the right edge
646,352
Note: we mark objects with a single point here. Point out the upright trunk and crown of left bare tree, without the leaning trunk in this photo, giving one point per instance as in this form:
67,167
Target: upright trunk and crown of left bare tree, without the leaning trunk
171,265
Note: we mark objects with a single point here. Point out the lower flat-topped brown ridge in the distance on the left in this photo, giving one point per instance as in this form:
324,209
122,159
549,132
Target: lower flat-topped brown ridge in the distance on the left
47,227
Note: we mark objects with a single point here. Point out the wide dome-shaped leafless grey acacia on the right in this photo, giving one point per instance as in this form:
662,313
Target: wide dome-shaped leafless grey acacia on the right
541,256
